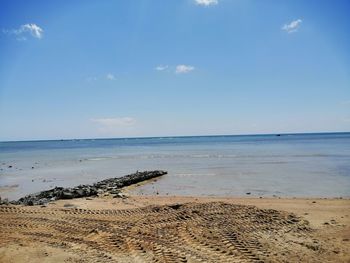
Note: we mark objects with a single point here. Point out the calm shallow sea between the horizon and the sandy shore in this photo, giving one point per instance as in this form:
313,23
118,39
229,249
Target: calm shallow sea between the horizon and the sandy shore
293,165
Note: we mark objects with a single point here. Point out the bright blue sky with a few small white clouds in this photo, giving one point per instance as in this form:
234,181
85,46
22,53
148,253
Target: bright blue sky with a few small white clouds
105,69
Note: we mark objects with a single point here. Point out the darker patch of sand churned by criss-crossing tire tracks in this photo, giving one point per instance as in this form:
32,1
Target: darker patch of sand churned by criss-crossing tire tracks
209,232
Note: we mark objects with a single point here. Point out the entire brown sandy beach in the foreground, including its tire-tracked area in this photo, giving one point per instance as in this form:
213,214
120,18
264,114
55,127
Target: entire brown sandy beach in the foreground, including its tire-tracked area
177,229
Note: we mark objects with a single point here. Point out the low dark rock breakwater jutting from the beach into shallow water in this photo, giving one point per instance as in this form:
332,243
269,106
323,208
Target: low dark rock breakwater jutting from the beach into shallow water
110,186
